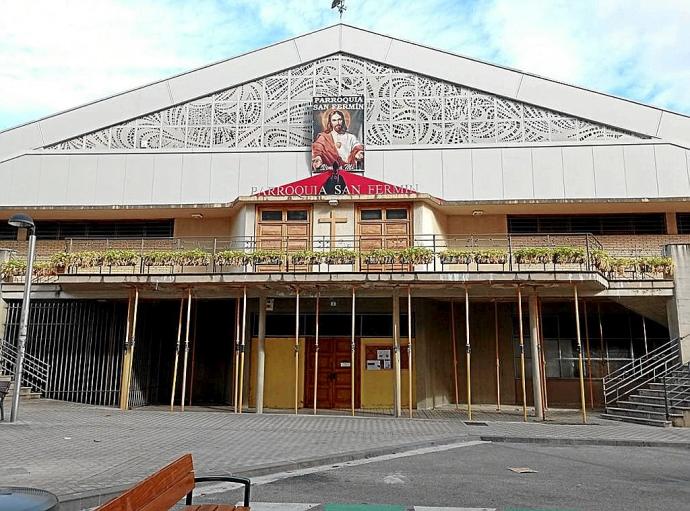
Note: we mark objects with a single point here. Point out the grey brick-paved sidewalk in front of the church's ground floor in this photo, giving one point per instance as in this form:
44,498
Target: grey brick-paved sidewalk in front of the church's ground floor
76,450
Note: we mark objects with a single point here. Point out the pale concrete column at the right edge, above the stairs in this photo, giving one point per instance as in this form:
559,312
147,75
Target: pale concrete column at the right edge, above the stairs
678,308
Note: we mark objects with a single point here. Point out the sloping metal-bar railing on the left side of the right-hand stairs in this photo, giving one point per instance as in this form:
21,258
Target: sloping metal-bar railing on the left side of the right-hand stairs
648,368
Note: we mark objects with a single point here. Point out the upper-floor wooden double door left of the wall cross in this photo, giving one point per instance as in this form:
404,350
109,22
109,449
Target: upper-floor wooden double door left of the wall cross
283,229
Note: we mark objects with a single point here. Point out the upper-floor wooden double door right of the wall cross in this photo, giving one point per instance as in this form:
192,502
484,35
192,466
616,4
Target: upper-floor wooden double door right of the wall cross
382,227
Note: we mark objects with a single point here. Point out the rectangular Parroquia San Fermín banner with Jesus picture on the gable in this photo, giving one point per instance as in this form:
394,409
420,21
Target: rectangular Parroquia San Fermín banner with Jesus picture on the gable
338,134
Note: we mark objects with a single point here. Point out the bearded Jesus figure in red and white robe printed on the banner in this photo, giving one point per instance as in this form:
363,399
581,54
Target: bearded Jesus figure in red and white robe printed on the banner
336,145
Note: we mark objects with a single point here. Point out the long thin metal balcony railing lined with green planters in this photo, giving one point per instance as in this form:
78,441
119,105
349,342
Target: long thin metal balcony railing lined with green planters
363,252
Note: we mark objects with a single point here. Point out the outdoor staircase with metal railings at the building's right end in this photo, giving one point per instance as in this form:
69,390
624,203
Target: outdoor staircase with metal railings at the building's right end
652,390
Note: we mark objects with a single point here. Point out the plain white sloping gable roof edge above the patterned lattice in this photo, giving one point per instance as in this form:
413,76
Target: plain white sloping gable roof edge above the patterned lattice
602,108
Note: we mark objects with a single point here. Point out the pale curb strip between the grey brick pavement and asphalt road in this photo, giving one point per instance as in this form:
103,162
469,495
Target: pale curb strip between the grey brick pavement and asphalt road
89,500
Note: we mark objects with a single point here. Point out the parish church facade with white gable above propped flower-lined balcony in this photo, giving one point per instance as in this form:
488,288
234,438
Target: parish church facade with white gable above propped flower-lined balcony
488,236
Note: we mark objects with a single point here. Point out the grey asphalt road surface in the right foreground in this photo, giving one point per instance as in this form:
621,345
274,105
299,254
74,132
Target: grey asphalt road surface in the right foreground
610,478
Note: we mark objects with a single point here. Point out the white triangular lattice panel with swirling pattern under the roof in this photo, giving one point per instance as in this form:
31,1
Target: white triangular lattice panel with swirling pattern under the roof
401,108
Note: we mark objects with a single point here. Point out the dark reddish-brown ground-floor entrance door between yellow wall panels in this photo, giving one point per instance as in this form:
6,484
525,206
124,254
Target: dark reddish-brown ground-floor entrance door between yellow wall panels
334,376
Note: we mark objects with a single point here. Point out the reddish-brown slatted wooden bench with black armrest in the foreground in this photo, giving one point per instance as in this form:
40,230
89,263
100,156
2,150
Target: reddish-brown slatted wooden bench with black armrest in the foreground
165,488
